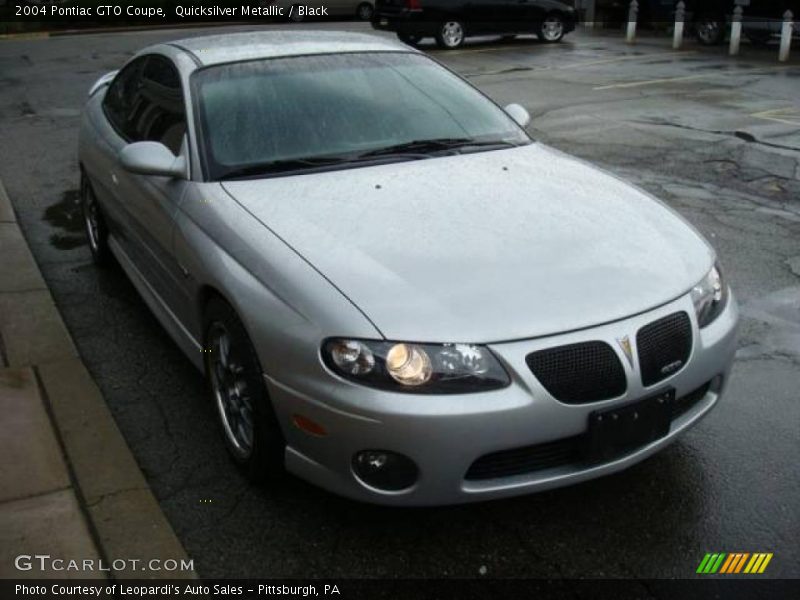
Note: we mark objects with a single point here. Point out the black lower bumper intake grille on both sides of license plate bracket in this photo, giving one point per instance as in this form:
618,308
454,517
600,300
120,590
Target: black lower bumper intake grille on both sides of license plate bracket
558,453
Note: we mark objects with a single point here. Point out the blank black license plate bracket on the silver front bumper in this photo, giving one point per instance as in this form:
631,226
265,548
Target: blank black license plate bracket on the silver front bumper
617,431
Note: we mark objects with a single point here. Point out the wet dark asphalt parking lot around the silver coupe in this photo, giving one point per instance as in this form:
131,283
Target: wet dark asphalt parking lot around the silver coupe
717,138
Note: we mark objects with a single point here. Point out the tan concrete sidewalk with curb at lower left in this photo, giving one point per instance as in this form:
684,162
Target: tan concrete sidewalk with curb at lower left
69,486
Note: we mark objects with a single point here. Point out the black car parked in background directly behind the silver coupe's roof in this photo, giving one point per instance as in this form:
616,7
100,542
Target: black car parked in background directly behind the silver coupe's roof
450,21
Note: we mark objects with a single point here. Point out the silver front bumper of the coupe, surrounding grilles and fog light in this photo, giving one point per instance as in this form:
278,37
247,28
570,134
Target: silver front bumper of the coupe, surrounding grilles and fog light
445,434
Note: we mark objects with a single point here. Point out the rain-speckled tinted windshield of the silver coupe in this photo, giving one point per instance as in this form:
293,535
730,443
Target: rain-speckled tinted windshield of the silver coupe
326,111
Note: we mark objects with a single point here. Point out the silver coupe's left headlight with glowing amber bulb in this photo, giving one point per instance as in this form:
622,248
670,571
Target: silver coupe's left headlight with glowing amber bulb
417,368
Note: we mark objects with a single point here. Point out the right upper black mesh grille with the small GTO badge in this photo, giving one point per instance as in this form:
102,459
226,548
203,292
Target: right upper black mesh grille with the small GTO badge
664,347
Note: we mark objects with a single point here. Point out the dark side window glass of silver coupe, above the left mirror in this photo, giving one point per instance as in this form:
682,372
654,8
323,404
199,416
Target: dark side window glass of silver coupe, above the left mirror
148,104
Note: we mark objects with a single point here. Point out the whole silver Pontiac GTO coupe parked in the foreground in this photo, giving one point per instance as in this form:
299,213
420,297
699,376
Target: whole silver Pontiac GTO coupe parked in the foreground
393,291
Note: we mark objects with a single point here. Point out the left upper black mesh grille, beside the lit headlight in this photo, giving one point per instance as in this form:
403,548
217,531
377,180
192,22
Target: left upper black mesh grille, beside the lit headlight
579,373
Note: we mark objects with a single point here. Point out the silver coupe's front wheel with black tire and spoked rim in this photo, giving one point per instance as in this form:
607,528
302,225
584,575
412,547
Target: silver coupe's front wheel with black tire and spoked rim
250,429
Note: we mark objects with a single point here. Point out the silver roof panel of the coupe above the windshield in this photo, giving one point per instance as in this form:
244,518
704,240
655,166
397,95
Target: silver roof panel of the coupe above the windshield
235,47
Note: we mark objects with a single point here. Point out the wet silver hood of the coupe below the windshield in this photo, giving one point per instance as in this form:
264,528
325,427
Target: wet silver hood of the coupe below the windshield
483,247
